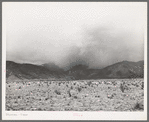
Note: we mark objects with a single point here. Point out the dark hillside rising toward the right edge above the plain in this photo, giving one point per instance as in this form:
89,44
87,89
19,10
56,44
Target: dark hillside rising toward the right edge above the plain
123,69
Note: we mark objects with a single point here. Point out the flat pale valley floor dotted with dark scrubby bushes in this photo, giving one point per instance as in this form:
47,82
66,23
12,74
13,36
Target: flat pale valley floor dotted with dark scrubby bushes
81,95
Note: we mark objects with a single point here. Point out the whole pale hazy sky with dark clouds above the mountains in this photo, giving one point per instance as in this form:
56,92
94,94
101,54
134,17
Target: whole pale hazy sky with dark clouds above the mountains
69,33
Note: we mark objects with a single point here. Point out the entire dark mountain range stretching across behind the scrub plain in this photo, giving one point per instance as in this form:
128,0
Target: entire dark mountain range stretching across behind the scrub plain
124,69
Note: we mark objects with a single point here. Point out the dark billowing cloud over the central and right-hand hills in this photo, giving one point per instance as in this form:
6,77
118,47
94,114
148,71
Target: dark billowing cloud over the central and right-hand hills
104,46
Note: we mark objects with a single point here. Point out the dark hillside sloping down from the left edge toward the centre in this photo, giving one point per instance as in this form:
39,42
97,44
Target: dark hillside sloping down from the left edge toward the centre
30,71
